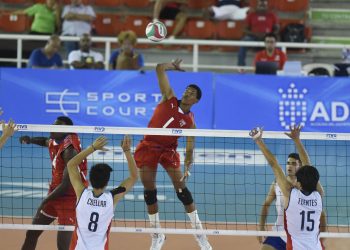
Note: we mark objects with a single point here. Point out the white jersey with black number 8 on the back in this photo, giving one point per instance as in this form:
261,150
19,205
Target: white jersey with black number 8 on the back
94,216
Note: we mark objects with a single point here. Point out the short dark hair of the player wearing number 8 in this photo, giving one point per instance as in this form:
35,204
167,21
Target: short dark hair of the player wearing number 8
99,175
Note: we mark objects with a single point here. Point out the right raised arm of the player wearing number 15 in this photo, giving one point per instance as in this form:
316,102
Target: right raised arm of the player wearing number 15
294,134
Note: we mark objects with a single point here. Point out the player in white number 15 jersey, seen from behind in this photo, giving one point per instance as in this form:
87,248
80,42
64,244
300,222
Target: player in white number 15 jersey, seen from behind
302,201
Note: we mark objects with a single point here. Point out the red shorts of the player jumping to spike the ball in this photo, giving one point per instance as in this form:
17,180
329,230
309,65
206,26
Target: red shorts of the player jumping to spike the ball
150,154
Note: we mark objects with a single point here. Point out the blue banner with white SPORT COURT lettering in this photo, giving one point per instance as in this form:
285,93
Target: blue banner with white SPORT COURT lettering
104,98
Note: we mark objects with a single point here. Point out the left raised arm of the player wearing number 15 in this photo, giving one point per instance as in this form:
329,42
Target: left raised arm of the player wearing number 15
281,179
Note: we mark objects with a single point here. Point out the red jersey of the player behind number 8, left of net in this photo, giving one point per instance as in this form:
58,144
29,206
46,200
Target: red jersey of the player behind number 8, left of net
58,164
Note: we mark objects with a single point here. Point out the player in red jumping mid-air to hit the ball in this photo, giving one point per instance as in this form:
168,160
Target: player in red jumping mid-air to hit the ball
170,113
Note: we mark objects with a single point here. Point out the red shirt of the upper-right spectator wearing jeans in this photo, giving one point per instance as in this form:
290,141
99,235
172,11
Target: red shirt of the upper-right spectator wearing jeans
261,22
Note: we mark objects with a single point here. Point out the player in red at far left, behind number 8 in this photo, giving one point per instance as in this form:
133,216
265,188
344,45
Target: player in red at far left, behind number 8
61,199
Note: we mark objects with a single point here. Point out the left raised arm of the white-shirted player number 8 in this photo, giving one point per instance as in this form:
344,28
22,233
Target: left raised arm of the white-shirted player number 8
73,164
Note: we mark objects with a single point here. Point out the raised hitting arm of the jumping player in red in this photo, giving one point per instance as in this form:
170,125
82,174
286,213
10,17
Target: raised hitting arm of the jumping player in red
163,81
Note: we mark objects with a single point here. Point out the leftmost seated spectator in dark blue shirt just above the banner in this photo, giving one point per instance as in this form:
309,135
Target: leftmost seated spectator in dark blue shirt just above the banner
47,57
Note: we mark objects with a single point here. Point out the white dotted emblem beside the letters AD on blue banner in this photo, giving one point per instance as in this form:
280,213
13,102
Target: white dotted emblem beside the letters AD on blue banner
292,106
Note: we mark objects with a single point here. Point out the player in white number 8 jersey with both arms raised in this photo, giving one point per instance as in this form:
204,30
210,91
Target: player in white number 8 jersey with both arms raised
95,208
